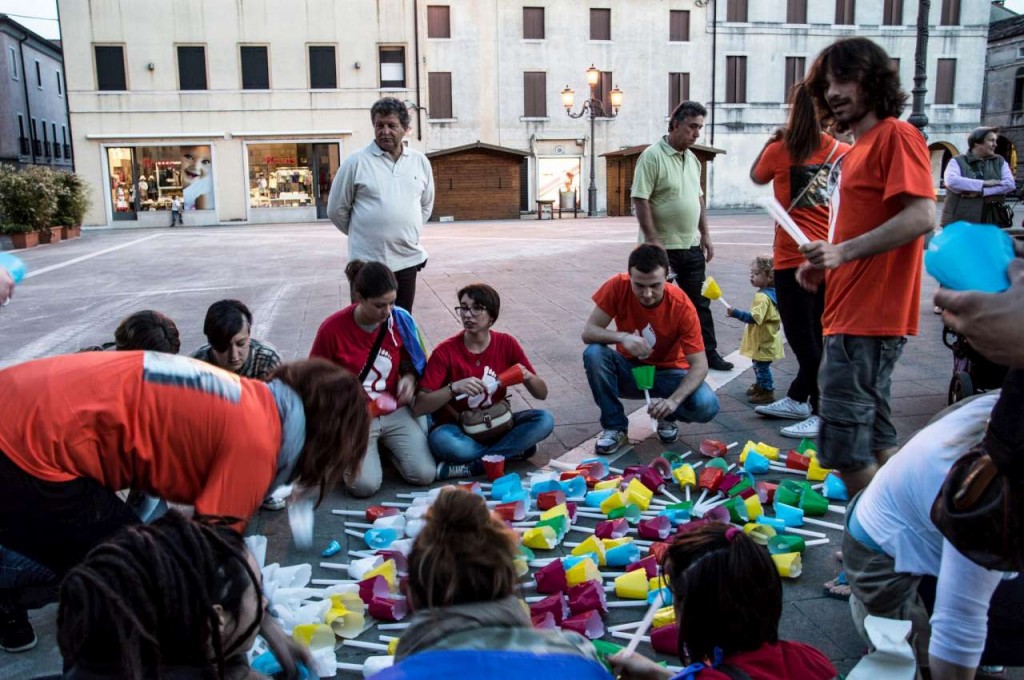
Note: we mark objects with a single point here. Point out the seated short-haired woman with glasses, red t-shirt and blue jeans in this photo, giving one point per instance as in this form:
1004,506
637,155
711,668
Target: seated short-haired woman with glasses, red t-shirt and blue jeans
467,366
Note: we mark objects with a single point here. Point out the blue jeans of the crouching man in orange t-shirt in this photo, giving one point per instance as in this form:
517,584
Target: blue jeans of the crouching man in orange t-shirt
611,379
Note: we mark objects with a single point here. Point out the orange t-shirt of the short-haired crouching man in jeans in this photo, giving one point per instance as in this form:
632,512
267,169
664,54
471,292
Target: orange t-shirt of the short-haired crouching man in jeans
672,329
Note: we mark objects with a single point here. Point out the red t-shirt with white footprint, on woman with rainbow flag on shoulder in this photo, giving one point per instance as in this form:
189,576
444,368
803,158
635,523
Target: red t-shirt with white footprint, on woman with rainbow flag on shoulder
342,341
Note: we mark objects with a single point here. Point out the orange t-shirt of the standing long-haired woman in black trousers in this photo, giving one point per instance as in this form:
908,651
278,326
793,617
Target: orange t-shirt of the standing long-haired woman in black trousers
789,180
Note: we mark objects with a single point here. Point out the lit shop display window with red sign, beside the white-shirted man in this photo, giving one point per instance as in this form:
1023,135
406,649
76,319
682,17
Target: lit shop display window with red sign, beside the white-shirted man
280,176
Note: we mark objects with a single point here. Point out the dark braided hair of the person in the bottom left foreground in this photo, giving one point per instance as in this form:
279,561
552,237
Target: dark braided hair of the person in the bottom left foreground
145,601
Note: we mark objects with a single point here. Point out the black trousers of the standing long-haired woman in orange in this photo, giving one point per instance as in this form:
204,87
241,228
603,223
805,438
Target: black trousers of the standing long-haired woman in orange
801,314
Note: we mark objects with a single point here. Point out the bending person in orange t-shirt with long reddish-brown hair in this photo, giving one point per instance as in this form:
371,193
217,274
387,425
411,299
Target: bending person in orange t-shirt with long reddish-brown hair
77,429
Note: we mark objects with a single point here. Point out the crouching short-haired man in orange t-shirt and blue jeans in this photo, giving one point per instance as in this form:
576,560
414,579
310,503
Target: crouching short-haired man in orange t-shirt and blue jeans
656,325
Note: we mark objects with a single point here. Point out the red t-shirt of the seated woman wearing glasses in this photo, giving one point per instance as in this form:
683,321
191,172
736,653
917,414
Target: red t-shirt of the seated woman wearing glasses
451,361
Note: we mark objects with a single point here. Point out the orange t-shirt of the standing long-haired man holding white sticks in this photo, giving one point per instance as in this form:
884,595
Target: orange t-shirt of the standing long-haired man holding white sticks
879,295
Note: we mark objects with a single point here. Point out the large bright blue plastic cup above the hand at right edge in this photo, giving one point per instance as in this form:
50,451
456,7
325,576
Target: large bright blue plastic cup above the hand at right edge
971,258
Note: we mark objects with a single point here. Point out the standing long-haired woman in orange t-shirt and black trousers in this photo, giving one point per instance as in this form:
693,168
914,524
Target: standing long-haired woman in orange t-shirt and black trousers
798,160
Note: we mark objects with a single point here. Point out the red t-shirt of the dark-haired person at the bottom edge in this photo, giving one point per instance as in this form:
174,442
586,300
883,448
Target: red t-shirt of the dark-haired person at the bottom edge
784,661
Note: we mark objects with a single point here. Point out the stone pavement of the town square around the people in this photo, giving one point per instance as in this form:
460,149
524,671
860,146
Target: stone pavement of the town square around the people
291,277
